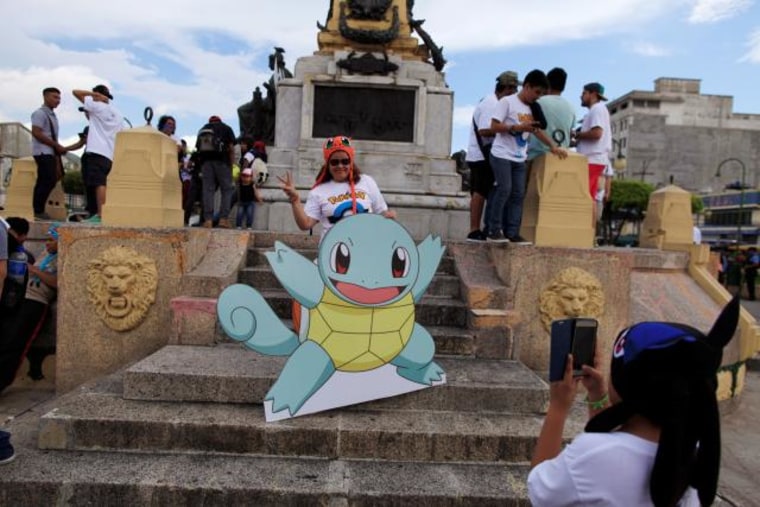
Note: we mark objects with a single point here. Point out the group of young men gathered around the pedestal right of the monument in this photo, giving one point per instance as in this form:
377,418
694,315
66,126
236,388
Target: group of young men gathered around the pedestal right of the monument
514,125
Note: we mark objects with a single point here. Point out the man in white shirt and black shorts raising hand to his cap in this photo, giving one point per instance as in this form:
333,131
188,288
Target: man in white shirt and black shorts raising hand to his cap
105,123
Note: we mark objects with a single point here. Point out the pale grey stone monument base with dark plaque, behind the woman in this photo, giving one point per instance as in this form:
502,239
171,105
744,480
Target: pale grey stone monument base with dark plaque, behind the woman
417,176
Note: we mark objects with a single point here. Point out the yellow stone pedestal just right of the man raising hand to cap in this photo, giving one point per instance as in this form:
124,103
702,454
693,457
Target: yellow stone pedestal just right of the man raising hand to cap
144,189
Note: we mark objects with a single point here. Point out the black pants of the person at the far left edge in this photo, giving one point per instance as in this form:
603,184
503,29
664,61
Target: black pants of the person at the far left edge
19,332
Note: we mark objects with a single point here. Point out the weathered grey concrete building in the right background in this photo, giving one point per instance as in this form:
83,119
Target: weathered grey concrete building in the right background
676,134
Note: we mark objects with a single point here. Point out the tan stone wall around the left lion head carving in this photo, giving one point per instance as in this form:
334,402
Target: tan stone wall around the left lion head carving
87,346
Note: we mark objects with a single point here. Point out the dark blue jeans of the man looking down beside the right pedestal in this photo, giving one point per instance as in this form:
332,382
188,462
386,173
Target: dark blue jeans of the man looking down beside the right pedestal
506,197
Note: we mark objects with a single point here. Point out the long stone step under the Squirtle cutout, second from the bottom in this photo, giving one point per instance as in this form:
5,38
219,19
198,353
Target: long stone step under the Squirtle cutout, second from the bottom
106,421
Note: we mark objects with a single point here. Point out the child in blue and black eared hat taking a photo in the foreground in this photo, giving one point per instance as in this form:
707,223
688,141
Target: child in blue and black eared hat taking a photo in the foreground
653,437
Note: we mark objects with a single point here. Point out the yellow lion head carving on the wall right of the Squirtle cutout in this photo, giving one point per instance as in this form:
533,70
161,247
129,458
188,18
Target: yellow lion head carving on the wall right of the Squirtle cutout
572,293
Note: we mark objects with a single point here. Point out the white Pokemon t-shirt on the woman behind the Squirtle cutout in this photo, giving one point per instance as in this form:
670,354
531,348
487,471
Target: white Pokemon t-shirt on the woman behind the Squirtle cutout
331,201
